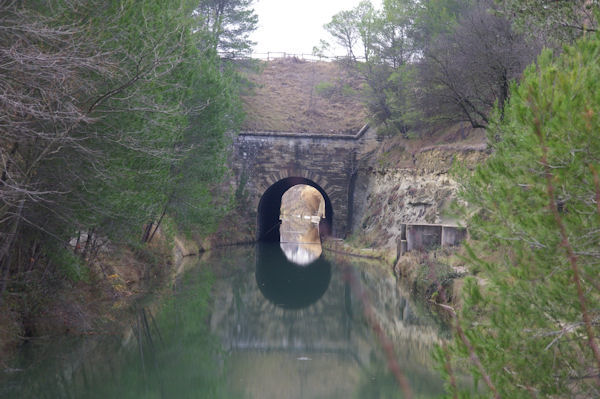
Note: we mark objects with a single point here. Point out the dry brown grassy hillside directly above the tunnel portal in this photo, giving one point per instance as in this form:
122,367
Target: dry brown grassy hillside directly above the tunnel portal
292,95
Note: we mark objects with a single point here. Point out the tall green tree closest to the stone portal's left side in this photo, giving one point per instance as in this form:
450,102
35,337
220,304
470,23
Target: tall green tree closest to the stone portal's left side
197,204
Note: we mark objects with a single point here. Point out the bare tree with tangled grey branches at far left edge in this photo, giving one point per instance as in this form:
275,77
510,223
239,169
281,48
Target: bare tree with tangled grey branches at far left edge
43,65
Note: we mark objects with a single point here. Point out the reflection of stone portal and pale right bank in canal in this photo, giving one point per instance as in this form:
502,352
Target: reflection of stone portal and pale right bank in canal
323,348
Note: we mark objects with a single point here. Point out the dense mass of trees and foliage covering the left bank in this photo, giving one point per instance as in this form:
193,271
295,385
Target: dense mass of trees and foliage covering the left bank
113,115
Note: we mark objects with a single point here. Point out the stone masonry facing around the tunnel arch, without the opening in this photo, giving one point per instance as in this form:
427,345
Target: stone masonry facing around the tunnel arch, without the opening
260,160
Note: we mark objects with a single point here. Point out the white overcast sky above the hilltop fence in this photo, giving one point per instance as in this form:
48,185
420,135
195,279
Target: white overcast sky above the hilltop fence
295,26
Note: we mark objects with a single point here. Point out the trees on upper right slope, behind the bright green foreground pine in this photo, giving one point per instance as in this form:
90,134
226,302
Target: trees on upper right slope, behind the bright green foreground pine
429,63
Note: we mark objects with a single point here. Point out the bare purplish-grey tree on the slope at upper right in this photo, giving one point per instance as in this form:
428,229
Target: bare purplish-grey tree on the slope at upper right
468,68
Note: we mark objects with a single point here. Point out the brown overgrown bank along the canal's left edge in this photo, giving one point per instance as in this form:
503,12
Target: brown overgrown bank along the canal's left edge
99,303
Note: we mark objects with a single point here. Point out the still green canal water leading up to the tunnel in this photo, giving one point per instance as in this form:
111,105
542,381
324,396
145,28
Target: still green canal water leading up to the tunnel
265,321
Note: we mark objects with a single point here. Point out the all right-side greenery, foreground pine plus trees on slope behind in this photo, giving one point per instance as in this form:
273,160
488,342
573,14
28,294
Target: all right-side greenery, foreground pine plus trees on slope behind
529,322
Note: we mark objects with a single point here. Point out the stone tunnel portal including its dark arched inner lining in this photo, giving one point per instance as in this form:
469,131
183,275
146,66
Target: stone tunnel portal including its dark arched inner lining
267,164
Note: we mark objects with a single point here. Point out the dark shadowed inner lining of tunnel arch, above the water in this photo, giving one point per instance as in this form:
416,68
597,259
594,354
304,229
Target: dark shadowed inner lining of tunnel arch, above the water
270,205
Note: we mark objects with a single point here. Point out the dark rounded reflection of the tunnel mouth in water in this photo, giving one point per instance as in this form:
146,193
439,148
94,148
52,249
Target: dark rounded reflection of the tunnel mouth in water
287,284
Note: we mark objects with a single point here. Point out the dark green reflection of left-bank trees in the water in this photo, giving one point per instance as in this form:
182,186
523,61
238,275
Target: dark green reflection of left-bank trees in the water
170,354
